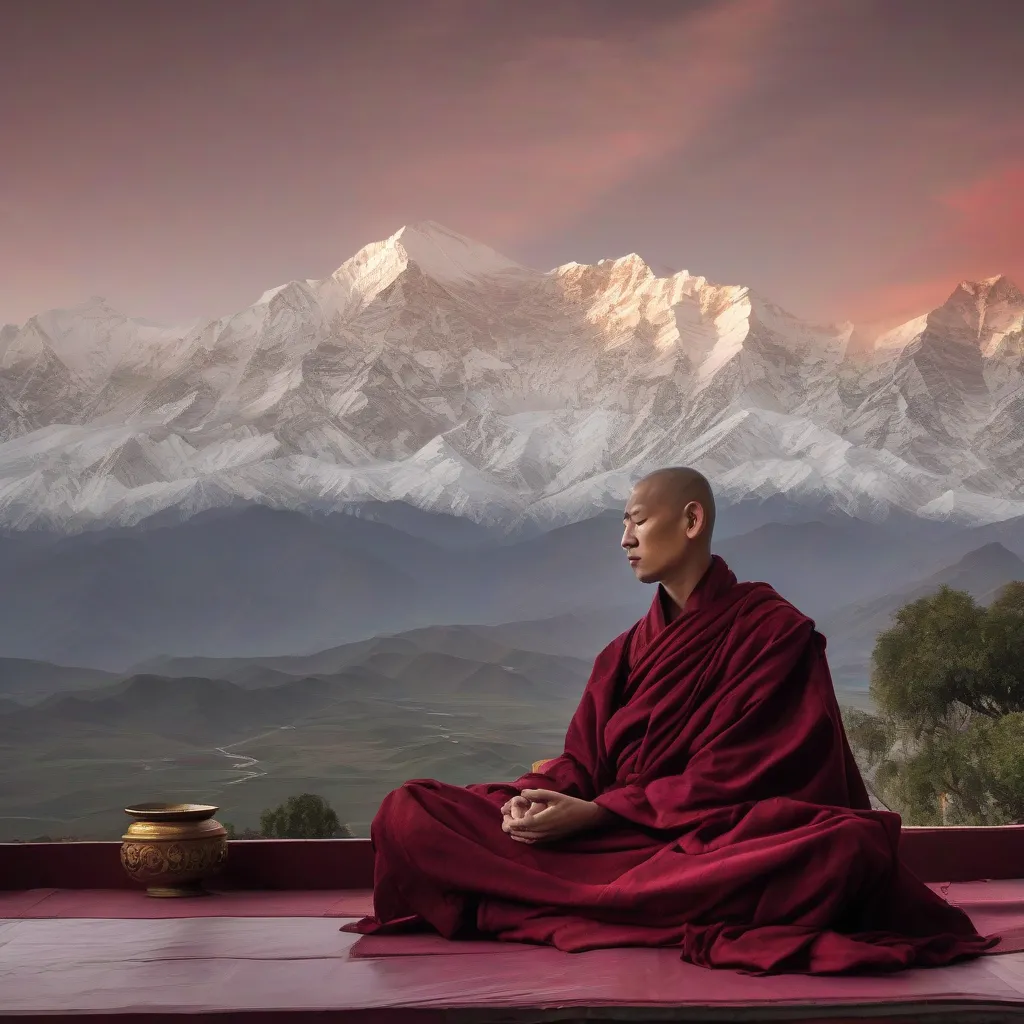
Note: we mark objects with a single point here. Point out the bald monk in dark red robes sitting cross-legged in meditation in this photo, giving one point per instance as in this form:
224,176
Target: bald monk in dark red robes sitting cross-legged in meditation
707,798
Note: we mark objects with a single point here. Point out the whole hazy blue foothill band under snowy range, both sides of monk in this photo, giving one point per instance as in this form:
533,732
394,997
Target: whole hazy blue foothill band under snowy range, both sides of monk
258,583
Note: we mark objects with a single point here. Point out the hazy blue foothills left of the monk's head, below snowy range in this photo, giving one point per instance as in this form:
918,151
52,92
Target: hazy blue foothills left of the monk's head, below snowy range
260,583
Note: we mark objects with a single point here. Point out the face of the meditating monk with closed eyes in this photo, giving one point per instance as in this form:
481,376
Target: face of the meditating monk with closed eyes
661,533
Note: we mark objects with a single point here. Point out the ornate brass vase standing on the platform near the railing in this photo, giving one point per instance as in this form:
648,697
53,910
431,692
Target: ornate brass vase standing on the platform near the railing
173,849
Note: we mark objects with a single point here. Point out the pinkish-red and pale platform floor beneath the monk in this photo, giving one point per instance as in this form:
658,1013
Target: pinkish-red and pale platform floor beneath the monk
117,955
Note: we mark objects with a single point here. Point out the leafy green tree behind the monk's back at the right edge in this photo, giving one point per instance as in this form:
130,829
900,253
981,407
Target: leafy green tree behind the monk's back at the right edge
948,744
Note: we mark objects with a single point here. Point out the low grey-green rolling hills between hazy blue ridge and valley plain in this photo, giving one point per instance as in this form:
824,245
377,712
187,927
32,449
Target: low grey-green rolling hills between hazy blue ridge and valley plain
235,698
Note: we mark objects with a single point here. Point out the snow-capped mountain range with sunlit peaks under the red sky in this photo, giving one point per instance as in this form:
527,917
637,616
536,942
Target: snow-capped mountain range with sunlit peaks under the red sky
432,370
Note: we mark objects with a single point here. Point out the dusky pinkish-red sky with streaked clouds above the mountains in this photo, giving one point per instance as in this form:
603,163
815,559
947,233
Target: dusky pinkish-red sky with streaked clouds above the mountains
851,159
